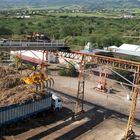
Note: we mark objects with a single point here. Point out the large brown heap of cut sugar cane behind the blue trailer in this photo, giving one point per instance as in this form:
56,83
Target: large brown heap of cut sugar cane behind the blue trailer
13,91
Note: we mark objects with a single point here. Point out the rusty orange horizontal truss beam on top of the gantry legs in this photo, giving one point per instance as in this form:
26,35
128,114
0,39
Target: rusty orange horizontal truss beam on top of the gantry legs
103,60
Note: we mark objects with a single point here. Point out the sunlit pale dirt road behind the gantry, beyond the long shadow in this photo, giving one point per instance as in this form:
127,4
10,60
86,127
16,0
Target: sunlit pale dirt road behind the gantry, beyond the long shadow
116,101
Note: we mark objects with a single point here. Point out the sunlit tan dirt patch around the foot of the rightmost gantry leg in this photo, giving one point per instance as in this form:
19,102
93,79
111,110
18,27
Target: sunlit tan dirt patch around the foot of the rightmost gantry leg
110,129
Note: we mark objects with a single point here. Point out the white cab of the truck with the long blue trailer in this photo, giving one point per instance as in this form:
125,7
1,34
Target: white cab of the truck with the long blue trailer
56,102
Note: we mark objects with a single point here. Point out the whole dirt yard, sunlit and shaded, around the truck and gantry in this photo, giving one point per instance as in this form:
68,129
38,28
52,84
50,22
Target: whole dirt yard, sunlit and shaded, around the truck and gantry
92,125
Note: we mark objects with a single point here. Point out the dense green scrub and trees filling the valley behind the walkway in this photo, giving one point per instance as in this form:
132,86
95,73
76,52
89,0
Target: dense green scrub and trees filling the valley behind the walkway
75,30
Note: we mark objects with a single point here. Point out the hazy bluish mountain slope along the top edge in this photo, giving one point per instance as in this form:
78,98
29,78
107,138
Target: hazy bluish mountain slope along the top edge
92,4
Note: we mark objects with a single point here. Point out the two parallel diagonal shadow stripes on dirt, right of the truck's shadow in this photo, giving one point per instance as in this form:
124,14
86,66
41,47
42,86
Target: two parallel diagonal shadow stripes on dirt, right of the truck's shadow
95,118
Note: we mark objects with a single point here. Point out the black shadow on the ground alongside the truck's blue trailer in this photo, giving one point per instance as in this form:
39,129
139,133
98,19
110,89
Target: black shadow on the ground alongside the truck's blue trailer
40,119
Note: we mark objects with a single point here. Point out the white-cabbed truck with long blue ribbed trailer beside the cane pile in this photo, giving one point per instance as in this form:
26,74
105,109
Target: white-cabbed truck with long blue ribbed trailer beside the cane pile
15,112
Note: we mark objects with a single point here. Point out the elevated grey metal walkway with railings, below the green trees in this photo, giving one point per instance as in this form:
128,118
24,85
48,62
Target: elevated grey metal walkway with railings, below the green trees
15,45
